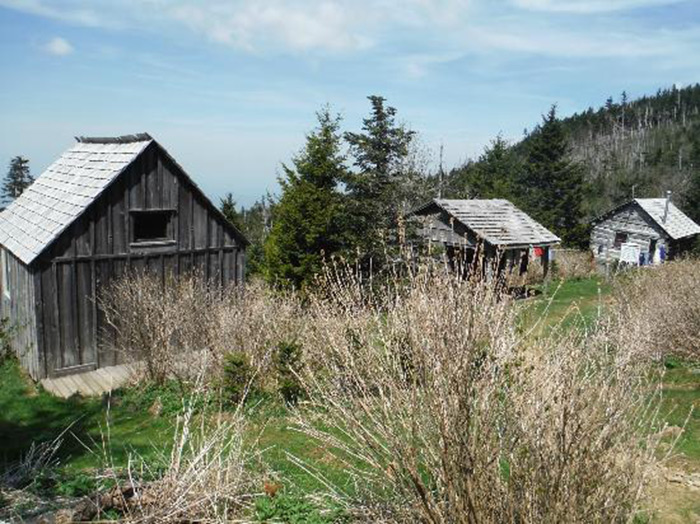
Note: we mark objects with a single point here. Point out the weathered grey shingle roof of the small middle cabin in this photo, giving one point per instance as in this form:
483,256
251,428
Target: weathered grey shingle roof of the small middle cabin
497,221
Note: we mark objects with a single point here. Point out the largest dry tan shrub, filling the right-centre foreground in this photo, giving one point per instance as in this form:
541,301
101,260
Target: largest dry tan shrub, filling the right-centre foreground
430,399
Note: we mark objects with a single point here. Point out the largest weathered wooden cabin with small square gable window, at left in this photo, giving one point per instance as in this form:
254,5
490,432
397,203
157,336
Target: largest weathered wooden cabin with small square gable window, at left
106,206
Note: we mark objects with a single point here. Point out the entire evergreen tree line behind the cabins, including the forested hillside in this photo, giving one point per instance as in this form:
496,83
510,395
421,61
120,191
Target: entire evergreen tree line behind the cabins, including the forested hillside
344,192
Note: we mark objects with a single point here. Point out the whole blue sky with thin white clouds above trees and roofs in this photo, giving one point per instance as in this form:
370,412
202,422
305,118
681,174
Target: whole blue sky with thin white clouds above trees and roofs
230,87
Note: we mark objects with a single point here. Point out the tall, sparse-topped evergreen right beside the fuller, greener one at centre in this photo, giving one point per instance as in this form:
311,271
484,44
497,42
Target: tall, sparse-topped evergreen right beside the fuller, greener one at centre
374,189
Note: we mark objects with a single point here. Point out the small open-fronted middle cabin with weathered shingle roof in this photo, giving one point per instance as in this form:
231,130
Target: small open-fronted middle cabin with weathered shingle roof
493,233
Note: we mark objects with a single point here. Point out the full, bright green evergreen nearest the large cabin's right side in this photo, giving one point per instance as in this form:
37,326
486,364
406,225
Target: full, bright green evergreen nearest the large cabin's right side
308,219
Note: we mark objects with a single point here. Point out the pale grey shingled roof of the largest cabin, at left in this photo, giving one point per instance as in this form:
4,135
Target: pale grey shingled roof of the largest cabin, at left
65,190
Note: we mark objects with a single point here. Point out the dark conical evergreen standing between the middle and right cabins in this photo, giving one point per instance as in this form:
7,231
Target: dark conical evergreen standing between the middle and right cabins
552,185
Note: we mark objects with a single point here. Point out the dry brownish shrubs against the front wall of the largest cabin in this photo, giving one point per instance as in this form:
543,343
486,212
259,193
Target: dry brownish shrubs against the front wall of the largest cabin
176,326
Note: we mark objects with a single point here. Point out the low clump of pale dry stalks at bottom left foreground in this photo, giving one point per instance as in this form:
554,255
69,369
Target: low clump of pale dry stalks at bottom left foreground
204,478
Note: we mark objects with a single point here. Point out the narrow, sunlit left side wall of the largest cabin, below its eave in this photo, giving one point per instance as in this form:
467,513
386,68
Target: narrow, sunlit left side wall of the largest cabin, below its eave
21,311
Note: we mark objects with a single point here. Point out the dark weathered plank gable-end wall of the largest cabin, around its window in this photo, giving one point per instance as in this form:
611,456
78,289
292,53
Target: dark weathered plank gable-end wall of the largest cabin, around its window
97,248
